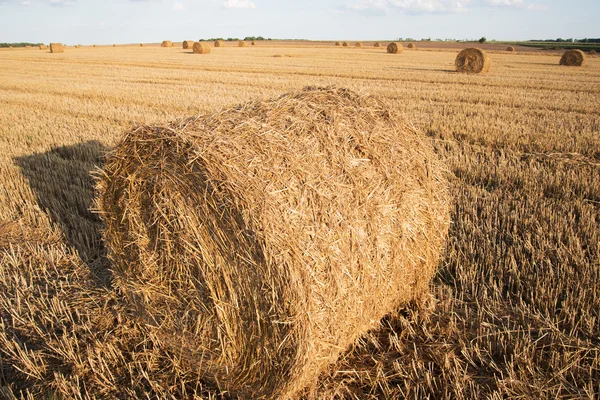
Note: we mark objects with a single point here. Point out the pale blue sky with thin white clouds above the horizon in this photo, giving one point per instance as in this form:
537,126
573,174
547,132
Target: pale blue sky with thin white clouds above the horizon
133,21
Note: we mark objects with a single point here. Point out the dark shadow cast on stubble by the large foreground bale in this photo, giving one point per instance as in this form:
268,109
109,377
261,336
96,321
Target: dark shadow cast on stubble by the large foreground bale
64,188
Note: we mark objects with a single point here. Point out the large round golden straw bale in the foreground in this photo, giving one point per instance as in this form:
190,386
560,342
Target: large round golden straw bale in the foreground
261,241
